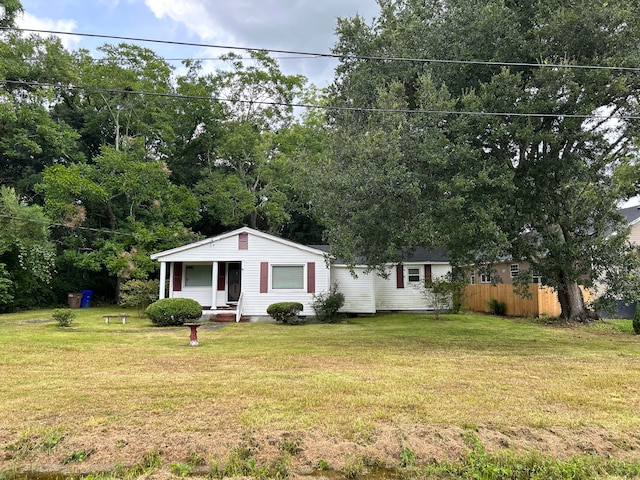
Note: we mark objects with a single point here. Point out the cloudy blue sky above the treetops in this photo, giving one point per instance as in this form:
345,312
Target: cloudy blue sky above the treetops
300,25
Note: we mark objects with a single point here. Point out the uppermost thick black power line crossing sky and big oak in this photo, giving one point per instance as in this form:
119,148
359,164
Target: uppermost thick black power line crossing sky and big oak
328,55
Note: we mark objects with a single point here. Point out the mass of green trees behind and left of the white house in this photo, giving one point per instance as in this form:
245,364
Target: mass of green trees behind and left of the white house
104,161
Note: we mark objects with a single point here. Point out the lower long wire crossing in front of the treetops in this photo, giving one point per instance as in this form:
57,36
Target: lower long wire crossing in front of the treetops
324,107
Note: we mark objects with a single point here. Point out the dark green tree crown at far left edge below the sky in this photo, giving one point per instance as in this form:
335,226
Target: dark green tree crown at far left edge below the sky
32,72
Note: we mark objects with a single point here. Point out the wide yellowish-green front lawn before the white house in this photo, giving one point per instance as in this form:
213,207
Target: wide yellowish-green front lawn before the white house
94,396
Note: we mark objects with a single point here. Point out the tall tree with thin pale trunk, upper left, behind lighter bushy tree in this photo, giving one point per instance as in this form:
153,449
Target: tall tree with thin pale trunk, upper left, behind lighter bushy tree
121,97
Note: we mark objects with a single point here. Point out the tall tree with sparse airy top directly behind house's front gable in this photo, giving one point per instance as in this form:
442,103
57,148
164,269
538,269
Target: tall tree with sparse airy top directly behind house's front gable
244,181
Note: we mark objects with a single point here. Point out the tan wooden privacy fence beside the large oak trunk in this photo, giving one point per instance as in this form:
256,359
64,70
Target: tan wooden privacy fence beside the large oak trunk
543,300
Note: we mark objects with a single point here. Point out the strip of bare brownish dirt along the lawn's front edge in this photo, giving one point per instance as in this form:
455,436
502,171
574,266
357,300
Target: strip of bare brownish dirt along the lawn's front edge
107,449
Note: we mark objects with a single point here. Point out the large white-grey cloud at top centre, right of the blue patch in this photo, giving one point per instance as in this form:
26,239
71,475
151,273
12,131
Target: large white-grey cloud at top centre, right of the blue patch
301,25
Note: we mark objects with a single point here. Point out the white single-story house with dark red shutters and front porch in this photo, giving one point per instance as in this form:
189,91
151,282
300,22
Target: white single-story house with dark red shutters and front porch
244,271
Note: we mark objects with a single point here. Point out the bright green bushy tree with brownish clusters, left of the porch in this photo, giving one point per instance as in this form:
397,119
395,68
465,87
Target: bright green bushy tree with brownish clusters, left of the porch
116,211
